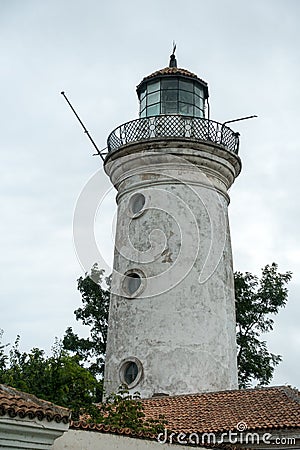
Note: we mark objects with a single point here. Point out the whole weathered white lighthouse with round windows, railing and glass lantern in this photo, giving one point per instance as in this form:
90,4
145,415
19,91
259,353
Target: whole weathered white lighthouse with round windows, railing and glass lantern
172,311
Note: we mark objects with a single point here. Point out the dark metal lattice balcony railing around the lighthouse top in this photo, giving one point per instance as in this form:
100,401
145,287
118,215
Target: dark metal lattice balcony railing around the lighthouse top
166,126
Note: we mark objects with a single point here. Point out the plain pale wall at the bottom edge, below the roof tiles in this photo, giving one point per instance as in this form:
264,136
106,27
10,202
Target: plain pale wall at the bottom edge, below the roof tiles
89,440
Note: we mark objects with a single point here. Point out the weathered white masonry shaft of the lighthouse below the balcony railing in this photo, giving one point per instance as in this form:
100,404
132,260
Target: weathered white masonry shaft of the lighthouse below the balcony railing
181,325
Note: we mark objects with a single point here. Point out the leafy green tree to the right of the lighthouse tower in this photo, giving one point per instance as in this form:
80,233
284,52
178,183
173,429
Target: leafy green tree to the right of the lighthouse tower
257,300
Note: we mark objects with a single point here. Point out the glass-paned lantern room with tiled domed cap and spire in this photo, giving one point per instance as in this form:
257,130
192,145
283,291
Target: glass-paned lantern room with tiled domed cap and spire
172,91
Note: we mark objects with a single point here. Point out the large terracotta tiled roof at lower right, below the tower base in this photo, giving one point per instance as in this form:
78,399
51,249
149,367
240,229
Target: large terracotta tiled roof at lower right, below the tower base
259,409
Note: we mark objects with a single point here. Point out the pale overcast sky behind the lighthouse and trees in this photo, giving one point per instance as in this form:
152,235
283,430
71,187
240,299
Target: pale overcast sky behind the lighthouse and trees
98,52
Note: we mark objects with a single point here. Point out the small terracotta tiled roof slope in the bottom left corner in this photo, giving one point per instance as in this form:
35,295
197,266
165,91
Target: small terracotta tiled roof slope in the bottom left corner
17,403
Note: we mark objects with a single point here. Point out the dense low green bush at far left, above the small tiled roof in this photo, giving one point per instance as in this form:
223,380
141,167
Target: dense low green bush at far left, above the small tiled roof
58,378
